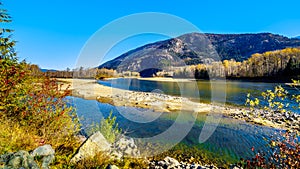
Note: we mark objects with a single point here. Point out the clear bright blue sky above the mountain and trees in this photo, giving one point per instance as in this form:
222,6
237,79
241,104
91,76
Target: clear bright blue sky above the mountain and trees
52,33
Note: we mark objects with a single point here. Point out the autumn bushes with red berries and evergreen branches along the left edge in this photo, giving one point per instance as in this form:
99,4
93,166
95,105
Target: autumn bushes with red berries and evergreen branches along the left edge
33,111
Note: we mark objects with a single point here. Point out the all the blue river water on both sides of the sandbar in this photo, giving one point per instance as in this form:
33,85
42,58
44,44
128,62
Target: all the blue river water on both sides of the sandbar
232,138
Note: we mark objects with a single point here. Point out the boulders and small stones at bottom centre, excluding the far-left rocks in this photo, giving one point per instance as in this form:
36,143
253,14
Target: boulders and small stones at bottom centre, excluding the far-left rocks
126,147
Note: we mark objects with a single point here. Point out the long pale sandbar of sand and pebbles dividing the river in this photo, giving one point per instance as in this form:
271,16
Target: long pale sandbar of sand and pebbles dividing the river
91,90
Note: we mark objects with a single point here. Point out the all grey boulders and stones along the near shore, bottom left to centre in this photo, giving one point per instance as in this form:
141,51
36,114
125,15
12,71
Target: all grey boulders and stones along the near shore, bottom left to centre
91,147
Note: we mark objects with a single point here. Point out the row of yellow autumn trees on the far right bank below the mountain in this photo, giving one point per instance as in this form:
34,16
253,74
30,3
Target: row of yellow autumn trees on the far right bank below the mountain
274,64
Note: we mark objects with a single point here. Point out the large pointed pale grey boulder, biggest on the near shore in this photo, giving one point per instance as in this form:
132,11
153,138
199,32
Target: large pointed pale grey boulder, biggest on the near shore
93,145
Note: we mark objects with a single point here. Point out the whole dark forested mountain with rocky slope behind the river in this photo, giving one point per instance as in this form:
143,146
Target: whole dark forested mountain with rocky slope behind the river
195,48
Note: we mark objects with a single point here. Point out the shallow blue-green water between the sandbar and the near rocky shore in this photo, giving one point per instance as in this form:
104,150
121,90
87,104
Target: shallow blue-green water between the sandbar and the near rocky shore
231,138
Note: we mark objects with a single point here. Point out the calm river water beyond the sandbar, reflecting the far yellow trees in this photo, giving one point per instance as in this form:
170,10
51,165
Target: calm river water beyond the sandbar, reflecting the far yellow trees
236,91
